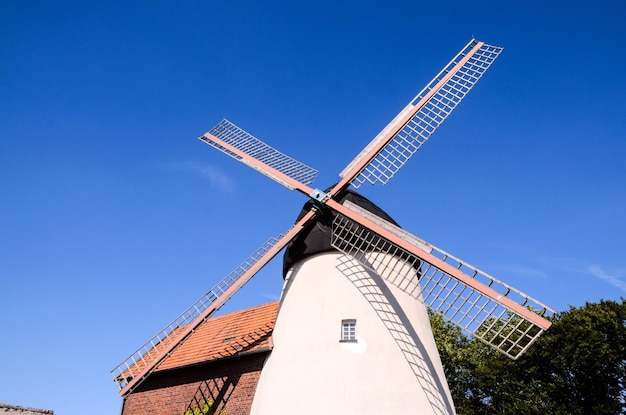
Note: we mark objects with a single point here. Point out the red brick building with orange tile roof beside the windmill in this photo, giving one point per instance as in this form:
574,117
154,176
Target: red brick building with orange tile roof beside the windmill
215,370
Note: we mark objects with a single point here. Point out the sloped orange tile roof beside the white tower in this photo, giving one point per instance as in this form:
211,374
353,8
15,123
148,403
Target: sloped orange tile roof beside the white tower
228,335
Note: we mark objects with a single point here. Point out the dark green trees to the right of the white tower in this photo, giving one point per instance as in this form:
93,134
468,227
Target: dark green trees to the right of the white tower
577,367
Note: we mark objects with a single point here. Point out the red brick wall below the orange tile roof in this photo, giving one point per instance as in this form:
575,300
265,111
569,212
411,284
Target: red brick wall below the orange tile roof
227,384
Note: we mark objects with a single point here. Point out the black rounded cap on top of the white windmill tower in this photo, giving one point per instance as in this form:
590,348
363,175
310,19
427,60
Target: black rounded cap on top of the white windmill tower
316,238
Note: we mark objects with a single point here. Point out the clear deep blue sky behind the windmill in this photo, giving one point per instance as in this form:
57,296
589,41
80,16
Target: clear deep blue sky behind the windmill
115,218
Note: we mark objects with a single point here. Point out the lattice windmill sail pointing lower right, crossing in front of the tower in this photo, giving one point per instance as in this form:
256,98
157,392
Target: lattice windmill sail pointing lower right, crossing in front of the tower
484,307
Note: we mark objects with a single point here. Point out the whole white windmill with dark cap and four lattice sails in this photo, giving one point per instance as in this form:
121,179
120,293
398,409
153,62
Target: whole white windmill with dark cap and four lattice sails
353,326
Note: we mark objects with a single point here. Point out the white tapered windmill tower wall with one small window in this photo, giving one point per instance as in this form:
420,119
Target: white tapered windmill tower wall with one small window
393,367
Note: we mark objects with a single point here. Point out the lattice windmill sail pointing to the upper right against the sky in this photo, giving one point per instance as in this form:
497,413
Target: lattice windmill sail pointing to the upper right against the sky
413,126
